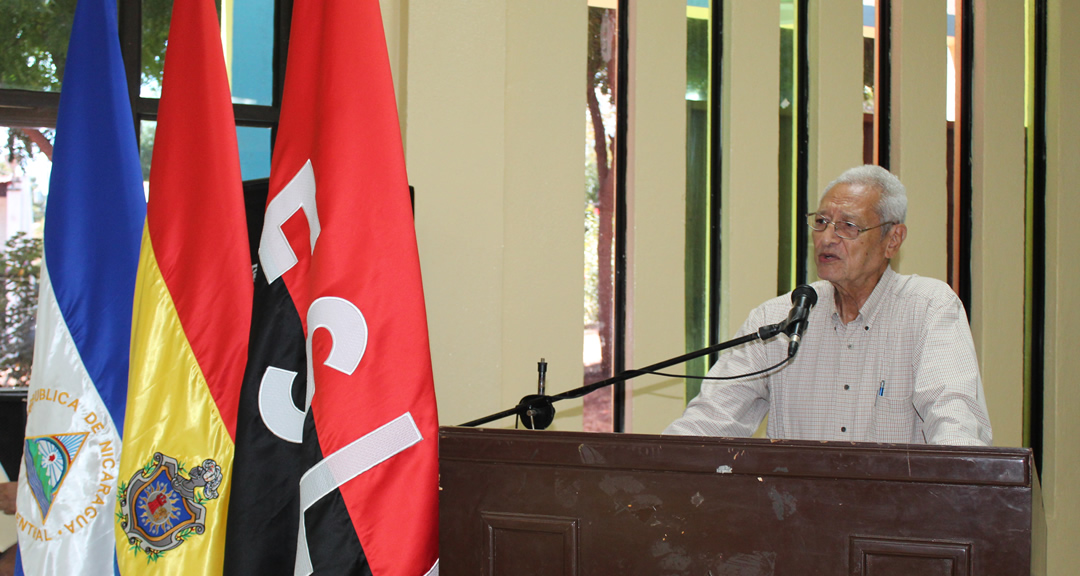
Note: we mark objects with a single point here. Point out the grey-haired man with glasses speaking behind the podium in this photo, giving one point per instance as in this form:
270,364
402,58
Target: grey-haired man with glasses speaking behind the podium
885,358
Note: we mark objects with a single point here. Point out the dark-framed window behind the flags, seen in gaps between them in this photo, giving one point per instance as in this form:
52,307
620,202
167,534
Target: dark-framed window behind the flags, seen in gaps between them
32,74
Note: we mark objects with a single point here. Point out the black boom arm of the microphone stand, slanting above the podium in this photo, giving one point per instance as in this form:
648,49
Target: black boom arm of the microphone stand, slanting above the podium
537,412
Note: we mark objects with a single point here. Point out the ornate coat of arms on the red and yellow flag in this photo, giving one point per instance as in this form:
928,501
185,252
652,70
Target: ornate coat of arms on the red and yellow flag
161,507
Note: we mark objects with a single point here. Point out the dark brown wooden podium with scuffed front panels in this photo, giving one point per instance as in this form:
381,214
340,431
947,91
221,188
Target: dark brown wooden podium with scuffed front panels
543,503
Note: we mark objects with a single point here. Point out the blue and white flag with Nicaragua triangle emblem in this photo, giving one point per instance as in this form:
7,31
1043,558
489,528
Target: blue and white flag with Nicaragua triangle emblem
78,392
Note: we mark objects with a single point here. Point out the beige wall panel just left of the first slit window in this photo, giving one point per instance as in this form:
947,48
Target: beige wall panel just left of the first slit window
543,197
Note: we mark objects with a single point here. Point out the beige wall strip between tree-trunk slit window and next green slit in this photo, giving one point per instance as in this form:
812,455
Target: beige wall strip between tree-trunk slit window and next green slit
657,215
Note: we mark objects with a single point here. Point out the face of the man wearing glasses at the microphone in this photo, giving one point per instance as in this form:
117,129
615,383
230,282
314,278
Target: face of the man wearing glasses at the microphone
855,266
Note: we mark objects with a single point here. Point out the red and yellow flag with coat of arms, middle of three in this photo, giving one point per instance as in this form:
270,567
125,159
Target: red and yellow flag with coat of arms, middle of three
192,318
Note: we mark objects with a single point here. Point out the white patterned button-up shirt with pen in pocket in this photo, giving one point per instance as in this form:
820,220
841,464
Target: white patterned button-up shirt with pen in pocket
903,371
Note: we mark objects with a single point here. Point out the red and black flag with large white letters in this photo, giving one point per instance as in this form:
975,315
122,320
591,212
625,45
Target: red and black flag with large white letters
337,428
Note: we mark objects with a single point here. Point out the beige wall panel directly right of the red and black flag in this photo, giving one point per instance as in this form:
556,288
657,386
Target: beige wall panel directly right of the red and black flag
456,157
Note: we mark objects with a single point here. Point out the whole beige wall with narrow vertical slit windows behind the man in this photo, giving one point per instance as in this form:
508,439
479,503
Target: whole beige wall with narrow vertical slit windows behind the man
493,114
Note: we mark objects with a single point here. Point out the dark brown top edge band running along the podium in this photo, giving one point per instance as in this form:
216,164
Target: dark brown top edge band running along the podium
742,457
